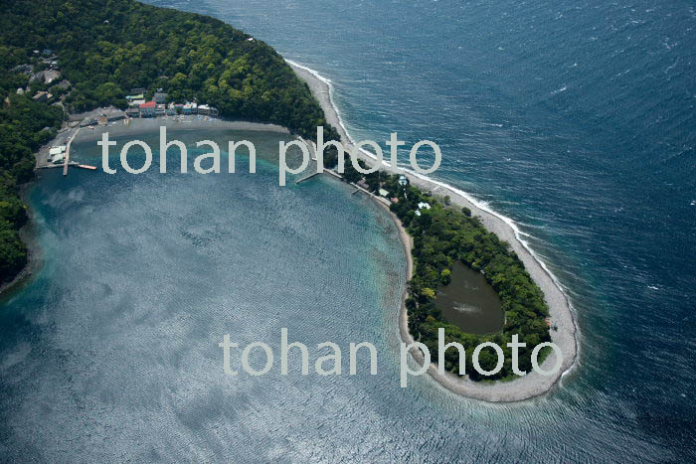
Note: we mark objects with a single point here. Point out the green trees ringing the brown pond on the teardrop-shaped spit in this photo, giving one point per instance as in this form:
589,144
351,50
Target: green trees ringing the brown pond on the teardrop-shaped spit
443,235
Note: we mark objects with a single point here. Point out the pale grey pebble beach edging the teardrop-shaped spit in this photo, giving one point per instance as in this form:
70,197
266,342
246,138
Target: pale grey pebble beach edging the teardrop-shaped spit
560,309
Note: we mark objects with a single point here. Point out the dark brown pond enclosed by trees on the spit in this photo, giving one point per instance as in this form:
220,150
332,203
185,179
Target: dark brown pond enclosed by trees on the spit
470,302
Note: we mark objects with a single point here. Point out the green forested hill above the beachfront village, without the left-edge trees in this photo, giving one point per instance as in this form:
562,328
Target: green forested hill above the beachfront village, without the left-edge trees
106,48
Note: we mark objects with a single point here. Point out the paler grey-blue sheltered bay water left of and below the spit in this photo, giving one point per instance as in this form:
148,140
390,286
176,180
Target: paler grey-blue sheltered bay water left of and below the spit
111,353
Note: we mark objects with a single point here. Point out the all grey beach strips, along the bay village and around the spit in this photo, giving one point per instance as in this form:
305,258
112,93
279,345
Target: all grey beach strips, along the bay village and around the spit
519,389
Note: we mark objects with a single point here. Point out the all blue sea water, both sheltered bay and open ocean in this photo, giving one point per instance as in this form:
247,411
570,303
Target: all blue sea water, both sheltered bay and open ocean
575,119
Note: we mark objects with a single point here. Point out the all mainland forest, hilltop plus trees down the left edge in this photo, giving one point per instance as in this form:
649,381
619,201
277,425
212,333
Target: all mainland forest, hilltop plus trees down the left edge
106,48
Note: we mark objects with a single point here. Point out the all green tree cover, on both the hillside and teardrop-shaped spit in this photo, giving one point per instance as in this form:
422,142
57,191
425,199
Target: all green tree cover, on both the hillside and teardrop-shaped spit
102,50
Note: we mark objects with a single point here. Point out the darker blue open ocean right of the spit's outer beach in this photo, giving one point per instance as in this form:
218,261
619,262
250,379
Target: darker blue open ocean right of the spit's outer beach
576,120
